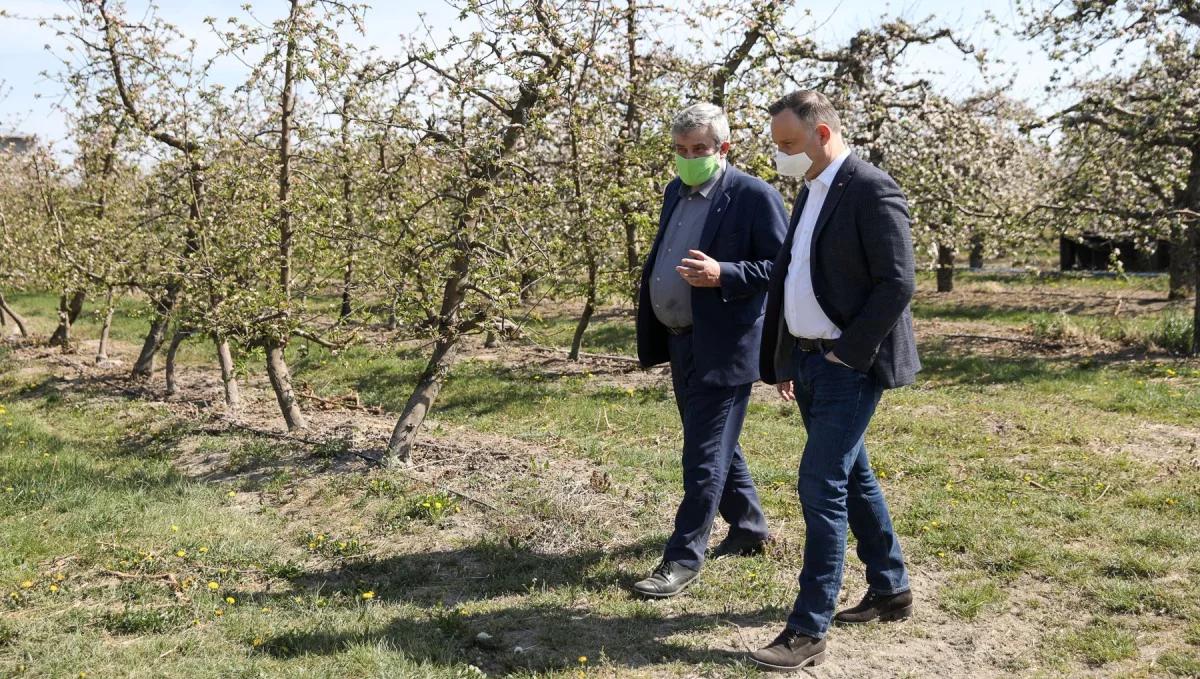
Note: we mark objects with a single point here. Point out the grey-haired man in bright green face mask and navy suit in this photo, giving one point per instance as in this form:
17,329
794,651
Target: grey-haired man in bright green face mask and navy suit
703,296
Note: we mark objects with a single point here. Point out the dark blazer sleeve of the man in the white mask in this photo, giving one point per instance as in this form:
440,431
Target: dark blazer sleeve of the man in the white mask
884,227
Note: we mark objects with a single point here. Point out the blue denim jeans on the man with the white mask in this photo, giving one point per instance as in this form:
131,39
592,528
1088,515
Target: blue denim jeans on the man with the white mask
838,490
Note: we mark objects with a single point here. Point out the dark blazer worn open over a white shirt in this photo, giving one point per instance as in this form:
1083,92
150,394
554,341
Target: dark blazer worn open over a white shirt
863,277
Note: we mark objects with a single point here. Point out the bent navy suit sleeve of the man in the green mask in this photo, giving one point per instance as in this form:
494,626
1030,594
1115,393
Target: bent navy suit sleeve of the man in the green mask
769,229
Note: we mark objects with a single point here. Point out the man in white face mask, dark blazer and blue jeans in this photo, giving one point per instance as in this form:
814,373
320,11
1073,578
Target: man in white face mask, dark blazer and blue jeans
838,332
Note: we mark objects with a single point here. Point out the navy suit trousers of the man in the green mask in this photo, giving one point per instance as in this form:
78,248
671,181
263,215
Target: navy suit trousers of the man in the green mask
716,477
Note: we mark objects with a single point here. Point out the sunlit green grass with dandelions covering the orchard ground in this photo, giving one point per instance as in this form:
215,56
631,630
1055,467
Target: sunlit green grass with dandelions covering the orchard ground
1055,492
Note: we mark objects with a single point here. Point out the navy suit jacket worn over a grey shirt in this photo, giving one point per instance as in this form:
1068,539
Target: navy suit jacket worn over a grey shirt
746,226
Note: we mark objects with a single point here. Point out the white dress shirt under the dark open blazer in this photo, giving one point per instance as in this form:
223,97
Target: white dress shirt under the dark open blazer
805,316
